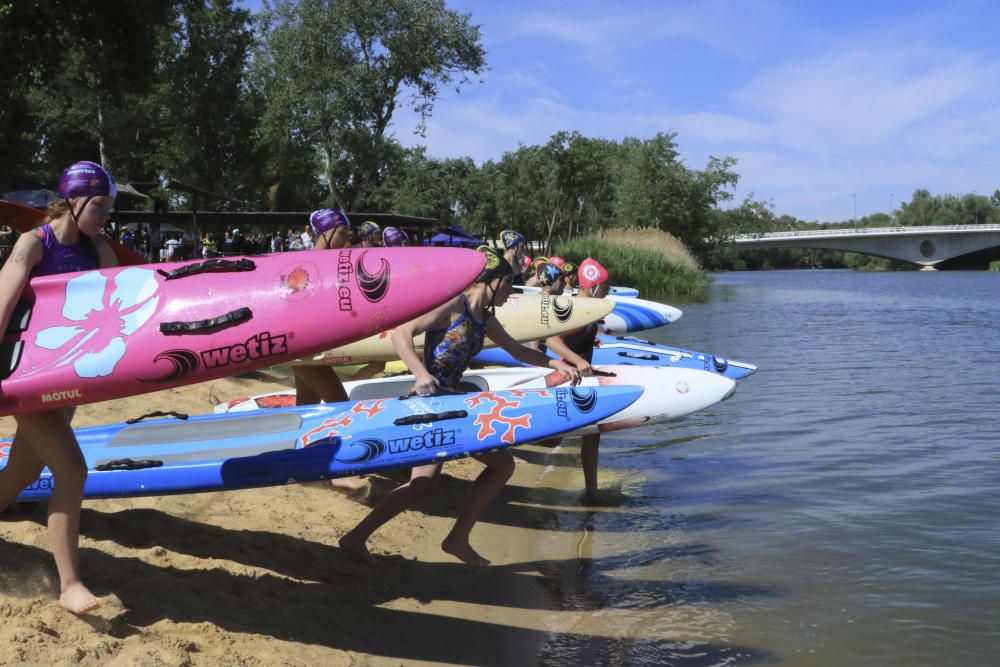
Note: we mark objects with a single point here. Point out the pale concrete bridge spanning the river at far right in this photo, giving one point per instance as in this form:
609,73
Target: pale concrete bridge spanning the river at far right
926,246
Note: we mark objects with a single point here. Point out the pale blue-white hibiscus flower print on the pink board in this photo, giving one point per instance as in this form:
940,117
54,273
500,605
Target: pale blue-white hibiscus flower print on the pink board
104,320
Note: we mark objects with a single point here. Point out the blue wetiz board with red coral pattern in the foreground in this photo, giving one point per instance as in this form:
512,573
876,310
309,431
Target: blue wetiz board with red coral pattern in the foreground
301,444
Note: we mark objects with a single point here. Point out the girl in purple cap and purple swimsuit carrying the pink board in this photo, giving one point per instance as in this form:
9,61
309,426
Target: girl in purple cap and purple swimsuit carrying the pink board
69,241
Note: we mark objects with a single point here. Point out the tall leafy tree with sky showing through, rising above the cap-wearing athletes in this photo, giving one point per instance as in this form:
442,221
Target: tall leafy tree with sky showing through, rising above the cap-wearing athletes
335,72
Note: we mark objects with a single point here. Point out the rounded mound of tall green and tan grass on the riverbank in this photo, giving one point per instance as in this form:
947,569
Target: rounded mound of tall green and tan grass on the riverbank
643,257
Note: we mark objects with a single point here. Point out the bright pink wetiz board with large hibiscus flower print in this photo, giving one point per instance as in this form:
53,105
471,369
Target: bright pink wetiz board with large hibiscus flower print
96,335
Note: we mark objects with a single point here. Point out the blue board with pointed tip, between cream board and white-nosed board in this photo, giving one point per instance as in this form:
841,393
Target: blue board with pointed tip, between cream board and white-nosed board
626,350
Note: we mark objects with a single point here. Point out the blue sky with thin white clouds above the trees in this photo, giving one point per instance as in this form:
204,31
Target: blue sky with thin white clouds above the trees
818,101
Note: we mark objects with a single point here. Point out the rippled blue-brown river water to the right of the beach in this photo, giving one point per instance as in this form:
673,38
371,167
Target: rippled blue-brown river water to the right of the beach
842,508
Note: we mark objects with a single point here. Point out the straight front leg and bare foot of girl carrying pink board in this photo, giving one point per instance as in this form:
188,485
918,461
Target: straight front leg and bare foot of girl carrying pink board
50,436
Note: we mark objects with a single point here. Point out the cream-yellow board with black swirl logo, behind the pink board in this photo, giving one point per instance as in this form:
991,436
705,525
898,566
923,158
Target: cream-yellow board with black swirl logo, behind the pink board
526,317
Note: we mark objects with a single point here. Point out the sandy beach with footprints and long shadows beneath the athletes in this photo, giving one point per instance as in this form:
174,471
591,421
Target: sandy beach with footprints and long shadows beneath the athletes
256,577
